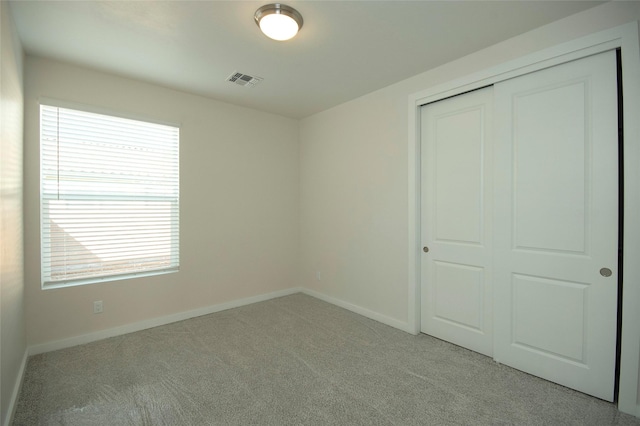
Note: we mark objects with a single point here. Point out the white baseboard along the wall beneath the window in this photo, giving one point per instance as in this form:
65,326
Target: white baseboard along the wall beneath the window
154,322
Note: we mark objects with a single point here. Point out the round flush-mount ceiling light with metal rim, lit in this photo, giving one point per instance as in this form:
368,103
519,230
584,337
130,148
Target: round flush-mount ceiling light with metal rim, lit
278,21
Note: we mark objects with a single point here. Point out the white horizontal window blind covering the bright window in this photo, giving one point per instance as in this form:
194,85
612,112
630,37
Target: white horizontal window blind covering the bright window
109,197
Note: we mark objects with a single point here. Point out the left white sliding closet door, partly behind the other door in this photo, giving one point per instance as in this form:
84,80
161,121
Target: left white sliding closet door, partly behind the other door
456,220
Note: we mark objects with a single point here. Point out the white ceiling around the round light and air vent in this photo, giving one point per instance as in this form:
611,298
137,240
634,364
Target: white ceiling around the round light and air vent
344,50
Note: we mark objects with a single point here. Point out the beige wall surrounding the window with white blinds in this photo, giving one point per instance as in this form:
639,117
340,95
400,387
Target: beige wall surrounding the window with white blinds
238,205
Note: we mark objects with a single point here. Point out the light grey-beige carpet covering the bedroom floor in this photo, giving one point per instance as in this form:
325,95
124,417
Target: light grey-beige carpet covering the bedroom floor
290,361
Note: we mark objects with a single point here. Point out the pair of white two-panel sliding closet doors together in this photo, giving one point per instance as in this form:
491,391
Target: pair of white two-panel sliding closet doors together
519,222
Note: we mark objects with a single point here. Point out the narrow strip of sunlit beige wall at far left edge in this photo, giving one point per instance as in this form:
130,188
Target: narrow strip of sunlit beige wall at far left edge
12,326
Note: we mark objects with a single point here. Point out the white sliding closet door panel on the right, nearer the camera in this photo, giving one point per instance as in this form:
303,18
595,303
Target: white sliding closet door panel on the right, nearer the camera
556,224
